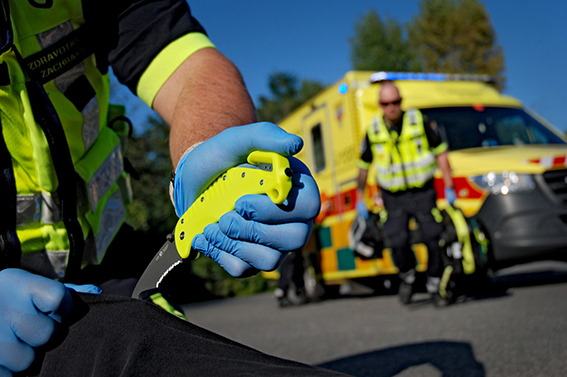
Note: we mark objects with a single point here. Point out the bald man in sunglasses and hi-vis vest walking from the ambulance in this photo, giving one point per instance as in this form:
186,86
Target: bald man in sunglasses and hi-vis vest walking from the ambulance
406,150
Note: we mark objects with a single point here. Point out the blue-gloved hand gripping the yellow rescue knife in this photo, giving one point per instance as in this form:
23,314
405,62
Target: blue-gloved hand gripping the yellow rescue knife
258,234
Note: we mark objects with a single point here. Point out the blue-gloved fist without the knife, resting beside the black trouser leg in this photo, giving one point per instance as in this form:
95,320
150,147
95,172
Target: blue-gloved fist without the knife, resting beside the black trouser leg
30,308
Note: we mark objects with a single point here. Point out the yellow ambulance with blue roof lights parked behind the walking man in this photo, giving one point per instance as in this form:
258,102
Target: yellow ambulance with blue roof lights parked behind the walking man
509,167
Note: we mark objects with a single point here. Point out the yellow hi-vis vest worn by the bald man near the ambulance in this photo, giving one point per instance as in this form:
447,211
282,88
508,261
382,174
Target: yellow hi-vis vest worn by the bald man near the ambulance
402,161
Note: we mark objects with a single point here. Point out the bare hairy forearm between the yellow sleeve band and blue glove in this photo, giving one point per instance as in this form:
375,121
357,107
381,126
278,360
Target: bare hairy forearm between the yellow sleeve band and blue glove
204,96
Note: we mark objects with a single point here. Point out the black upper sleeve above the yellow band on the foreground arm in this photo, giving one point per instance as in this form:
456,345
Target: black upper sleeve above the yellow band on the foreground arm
130,33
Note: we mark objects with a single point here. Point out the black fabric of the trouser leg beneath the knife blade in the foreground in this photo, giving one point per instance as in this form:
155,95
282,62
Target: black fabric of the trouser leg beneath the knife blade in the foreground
115,336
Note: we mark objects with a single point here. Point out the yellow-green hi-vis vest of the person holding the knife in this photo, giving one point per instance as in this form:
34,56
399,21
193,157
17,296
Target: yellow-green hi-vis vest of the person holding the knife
63,188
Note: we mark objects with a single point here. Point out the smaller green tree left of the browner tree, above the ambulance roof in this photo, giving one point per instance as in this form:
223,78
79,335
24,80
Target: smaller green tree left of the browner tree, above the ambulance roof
379,45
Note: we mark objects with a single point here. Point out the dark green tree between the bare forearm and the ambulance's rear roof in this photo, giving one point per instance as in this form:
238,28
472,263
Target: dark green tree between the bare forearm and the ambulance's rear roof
287,94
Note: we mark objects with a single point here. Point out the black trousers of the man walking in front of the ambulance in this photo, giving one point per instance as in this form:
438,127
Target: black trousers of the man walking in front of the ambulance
400,208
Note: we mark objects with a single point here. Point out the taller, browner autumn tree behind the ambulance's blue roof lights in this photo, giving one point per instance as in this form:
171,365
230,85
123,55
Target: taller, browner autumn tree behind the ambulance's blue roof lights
456,36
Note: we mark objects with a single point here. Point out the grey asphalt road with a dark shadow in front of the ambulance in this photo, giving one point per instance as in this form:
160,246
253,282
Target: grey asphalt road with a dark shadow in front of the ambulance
519,329
